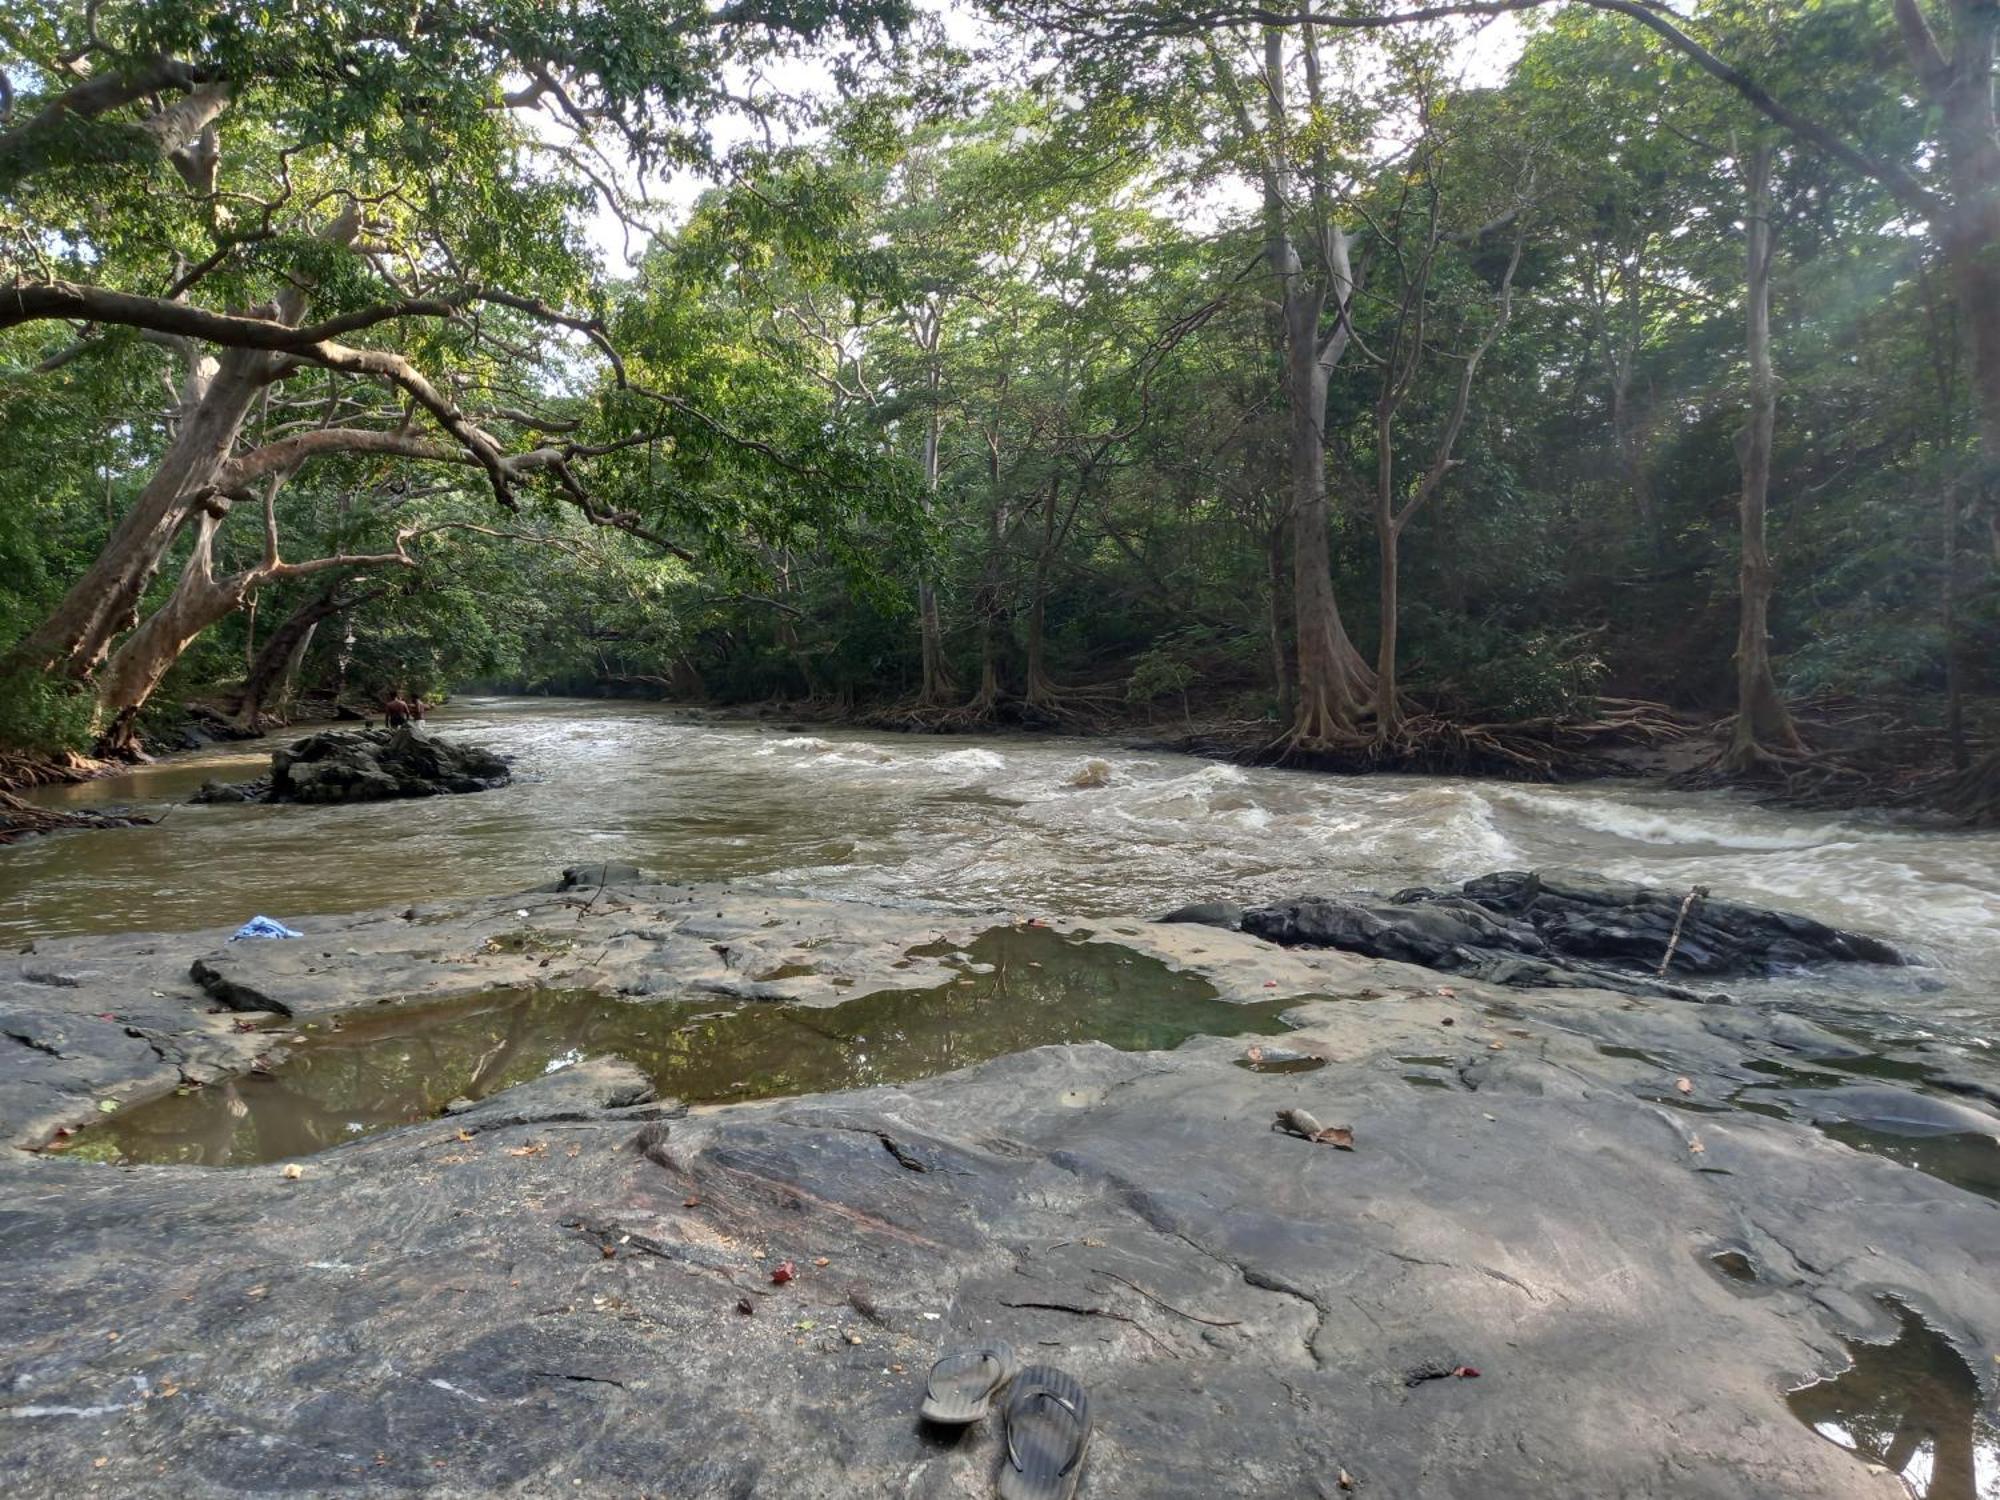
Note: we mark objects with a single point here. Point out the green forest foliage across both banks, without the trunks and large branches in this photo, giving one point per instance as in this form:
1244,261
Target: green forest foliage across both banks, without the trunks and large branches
1015,345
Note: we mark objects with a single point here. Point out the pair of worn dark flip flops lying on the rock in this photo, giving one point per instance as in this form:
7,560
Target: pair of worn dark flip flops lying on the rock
1047,1417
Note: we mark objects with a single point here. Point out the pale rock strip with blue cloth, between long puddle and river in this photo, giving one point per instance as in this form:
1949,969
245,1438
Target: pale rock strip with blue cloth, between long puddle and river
115,1021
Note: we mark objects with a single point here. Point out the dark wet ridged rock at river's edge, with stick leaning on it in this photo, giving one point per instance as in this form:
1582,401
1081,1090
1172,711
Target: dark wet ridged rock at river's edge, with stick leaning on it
1561,929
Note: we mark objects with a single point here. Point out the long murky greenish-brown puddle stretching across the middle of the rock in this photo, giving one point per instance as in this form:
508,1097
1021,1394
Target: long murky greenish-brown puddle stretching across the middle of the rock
395,1065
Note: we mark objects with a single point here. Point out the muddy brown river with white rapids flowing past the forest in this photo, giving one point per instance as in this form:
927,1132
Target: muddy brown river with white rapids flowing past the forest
993,823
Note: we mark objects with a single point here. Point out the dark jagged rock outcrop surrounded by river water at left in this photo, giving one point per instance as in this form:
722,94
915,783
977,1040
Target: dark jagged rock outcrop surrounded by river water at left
367,767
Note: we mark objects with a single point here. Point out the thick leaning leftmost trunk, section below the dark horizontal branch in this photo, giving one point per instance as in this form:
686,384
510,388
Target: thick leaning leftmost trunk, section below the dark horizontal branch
105,601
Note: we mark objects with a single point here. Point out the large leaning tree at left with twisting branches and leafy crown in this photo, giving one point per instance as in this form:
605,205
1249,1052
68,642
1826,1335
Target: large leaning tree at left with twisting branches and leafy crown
401,237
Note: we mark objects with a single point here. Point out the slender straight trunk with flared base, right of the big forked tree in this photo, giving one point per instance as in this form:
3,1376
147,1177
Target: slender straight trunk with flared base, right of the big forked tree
1763,723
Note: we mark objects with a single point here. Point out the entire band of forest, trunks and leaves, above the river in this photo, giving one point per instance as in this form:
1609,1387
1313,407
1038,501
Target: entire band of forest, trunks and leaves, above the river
1345,377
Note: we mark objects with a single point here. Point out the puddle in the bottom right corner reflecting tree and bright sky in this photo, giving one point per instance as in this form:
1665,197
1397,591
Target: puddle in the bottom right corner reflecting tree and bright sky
1915,1409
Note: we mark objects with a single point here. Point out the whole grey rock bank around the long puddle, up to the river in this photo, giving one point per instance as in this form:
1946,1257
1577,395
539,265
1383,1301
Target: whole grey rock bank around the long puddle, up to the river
1565,1191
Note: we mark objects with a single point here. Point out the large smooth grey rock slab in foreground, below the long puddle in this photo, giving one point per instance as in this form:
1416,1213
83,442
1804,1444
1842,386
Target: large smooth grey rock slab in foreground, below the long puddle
459,1309
